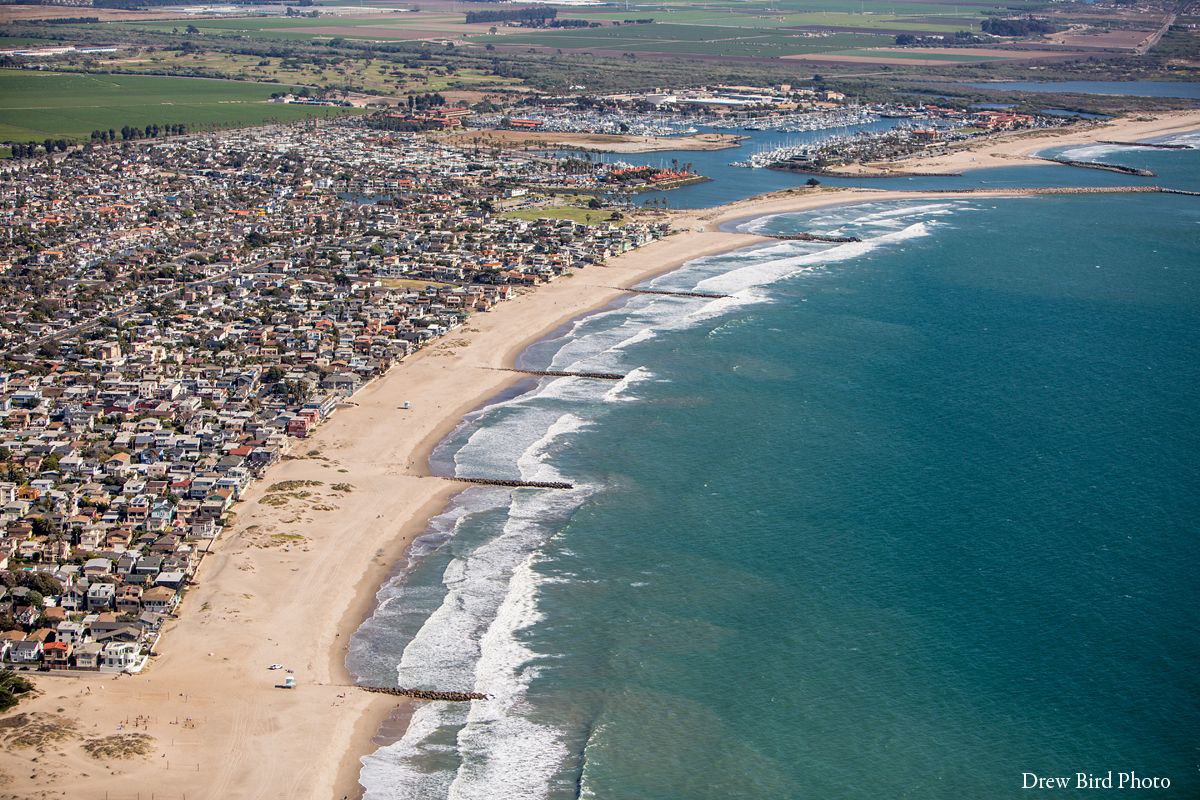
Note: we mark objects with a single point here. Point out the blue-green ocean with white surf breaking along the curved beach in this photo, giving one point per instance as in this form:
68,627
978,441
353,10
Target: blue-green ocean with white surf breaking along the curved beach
898,519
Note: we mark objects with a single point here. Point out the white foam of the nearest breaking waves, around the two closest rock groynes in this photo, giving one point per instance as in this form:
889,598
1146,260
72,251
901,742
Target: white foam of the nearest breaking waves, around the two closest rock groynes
472,640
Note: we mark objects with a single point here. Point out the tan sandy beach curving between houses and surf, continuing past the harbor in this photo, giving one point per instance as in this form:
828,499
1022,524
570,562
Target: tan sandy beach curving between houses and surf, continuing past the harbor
298,573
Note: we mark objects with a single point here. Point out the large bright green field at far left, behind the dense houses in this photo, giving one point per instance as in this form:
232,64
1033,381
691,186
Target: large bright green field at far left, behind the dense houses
56,105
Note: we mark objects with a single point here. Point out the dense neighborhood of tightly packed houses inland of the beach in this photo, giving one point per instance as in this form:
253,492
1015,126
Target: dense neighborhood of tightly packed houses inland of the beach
176,315
